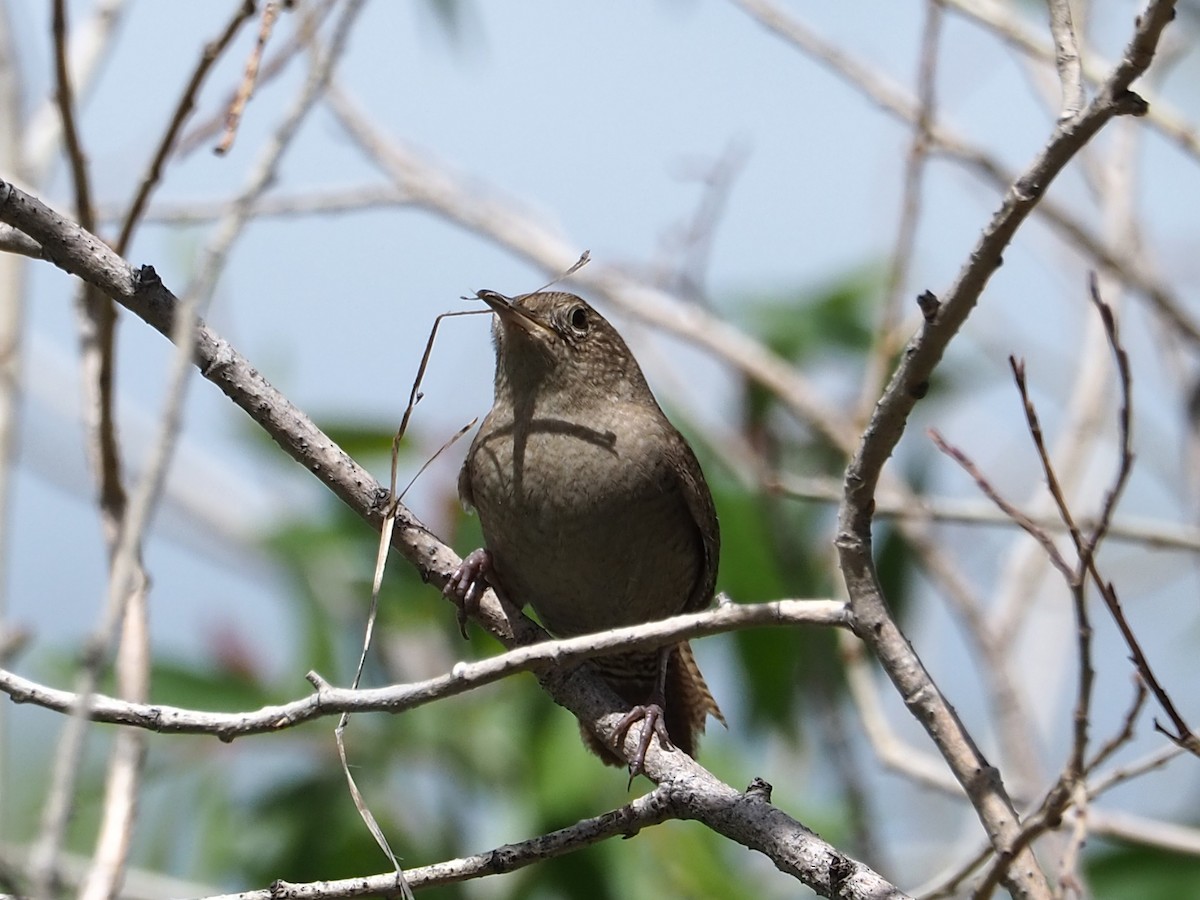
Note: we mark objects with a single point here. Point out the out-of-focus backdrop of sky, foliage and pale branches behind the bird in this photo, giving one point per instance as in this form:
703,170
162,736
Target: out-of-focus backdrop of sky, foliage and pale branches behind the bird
715,163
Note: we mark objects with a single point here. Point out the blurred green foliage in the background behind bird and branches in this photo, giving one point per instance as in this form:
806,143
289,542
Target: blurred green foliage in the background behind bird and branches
505,764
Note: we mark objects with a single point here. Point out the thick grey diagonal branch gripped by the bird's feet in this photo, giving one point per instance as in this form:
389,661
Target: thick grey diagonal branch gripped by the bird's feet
746,819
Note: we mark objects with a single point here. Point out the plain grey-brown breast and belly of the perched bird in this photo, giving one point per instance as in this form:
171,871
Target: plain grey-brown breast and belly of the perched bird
585,520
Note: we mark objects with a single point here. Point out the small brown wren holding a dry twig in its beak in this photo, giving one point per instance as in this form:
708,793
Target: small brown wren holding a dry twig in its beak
595,509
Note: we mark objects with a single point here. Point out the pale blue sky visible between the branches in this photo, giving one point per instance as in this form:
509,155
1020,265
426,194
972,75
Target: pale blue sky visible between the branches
587,112
